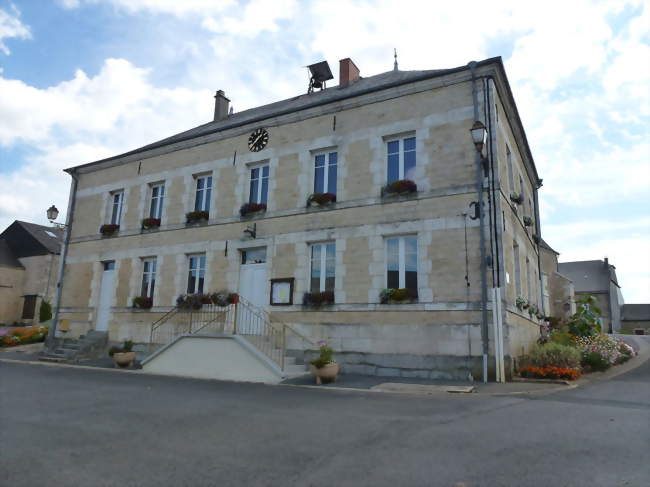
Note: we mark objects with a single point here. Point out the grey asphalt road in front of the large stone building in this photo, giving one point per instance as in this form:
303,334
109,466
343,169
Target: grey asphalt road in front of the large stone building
74,427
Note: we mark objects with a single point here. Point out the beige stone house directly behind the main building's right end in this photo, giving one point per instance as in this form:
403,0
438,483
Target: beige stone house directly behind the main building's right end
558,294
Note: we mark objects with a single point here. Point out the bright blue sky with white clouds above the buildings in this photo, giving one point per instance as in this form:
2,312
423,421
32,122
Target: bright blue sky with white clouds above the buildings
85,79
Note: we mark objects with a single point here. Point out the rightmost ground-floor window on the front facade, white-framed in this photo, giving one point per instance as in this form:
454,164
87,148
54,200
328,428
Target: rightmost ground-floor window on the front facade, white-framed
402,263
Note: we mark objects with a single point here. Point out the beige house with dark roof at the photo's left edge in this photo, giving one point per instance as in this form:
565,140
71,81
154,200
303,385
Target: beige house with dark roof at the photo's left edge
29,256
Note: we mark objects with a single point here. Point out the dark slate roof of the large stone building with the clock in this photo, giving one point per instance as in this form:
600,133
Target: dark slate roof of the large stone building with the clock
370,84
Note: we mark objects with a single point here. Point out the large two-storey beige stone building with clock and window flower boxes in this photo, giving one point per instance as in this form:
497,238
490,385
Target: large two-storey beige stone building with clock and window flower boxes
349,140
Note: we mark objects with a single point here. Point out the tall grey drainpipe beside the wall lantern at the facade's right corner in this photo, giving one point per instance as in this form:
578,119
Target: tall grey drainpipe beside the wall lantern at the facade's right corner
479,188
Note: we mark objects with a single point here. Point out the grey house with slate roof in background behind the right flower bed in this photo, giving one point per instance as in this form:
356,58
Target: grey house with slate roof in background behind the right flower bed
597,278
